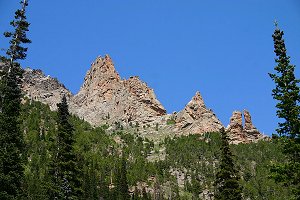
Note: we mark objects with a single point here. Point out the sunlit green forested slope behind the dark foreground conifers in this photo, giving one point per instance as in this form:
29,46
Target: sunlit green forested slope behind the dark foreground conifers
176,168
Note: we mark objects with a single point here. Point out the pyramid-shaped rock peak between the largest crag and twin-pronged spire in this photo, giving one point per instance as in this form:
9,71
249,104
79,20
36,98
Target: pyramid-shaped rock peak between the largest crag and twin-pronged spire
196,118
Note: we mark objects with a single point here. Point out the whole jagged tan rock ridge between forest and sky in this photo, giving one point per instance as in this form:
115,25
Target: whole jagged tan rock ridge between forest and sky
105,98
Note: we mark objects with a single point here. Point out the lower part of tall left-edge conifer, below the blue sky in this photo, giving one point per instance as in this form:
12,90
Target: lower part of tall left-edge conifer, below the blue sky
11,139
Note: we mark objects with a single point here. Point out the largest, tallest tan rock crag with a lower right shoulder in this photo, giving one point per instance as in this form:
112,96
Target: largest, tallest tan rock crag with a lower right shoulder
105,98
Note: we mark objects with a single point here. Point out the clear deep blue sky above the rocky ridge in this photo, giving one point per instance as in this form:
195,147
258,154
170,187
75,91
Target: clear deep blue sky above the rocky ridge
224,49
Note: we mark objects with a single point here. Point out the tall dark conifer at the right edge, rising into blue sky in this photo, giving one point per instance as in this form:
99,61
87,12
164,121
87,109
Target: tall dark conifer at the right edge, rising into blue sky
286,93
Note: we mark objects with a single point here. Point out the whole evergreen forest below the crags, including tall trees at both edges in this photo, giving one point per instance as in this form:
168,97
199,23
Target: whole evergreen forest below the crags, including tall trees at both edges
48,154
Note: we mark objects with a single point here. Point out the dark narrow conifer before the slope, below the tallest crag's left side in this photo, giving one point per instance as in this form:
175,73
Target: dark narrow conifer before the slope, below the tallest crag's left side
66,176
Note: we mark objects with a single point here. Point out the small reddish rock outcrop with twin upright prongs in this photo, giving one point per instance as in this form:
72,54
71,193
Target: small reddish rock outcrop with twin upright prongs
243,133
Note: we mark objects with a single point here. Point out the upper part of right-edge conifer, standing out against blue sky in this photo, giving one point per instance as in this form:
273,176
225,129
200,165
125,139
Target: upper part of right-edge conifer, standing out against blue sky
287,89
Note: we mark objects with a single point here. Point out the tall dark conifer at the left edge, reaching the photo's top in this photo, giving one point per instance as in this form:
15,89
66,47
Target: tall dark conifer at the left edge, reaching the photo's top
12,156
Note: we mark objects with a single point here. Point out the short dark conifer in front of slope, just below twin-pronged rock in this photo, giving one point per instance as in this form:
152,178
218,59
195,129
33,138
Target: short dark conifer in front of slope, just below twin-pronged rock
227,178
